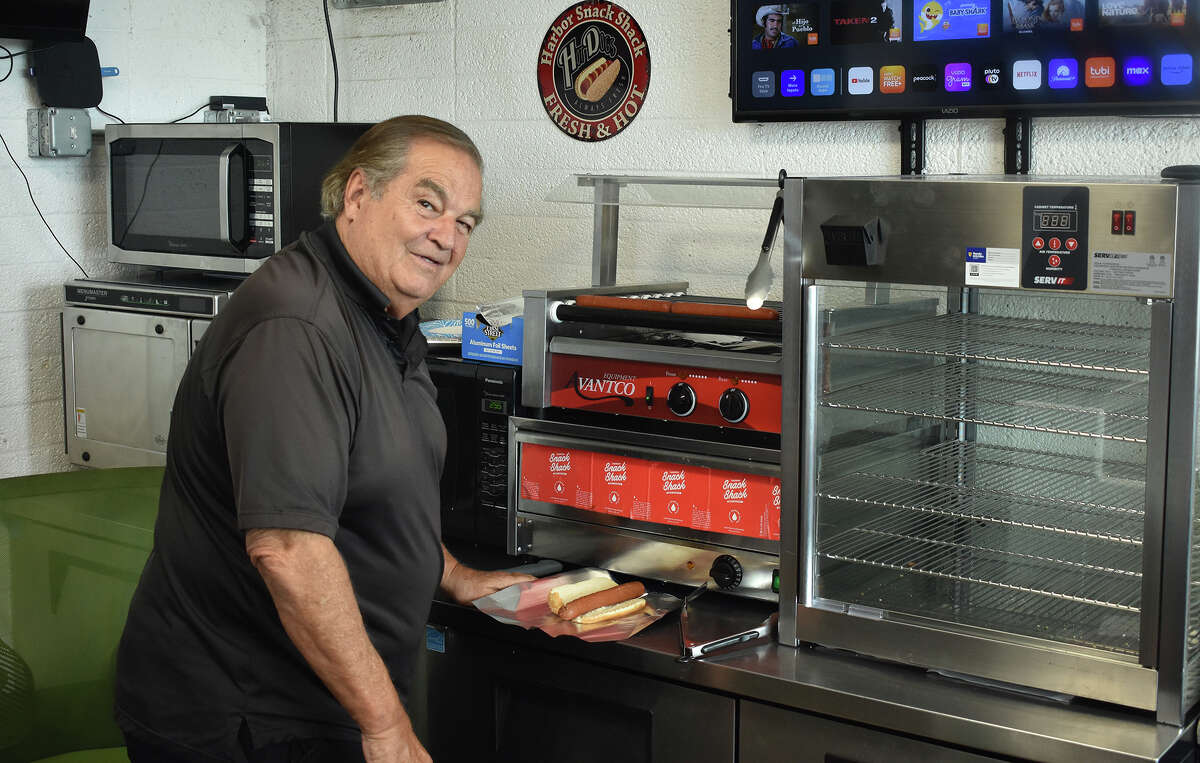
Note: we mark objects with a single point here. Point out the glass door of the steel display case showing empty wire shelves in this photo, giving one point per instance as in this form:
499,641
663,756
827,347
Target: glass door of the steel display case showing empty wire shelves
981,465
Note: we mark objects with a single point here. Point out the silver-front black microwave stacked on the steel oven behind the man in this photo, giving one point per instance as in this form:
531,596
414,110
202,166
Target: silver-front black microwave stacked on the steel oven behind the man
217,197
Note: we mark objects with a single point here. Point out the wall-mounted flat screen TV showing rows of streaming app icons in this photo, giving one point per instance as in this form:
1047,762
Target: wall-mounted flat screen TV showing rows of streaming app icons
886,59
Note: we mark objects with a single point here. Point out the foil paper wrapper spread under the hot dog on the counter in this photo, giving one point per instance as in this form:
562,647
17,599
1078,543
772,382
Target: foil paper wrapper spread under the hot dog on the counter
525,605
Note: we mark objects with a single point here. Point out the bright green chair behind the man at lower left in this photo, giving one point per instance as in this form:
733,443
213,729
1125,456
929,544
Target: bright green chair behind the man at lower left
73,548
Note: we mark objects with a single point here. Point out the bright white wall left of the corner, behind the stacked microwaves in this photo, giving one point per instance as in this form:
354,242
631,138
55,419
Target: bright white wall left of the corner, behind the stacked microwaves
172,56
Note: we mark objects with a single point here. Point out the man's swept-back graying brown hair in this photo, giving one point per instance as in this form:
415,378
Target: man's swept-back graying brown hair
382,153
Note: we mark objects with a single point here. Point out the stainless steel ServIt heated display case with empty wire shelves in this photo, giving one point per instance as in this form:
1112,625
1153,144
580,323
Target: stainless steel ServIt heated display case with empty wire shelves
1001,484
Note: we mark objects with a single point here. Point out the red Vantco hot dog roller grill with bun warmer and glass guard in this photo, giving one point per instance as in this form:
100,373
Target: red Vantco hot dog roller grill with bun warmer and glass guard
651,446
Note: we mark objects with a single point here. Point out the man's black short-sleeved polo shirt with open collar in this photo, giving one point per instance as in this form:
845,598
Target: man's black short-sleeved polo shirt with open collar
304,407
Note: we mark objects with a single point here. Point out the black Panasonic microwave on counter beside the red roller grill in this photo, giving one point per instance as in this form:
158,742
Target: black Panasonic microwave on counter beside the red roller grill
477,400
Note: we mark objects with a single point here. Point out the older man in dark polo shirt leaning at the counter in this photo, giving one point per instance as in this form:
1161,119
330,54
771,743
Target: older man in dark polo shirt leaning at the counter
297,550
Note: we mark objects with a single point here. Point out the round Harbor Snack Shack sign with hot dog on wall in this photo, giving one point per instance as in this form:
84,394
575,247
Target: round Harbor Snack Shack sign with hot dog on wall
593,70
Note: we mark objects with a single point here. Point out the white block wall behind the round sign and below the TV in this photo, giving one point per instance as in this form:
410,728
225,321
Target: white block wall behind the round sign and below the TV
473,63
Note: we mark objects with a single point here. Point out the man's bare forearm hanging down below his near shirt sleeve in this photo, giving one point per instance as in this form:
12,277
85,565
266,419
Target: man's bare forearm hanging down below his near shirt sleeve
308,580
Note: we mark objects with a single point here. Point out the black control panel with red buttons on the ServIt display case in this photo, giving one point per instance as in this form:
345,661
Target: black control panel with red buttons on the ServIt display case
1054,238
